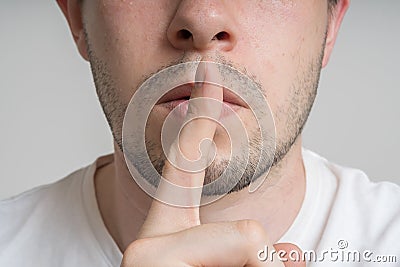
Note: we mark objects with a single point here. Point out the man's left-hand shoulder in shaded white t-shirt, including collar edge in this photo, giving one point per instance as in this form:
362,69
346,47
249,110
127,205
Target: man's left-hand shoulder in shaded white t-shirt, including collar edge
57,225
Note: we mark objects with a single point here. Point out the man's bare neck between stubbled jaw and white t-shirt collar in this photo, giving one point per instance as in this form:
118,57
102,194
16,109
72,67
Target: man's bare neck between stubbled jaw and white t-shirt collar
123,205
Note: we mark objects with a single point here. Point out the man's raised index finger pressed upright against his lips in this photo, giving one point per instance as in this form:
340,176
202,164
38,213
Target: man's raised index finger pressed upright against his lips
162,217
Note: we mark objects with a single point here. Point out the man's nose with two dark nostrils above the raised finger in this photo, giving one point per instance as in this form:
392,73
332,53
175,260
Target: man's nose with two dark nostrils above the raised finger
202,25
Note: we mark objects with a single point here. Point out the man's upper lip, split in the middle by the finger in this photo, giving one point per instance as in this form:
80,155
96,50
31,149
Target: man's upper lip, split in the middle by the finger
184,92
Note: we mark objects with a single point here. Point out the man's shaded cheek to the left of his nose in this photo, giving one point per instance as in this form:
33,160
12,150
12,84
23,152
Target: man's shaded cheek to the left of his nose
120,34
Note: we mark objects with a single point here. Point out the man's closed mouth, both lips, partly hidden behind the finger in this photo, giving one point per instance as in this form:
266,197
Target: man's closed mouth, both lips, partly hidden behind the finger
179,97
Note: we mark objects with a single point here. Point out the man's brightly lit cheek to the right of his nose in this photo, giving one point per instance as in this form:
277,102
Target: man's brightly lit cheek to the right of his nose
286,40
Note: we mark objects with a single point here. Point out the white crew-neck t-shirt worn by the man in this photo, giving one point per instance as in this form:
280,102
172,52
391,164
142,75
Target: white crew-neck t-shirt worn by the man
343,214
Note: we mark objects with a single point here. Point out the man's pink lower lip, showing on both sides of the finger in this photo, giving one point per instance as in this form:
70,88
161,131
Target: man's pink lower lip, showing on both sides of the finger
182,106
